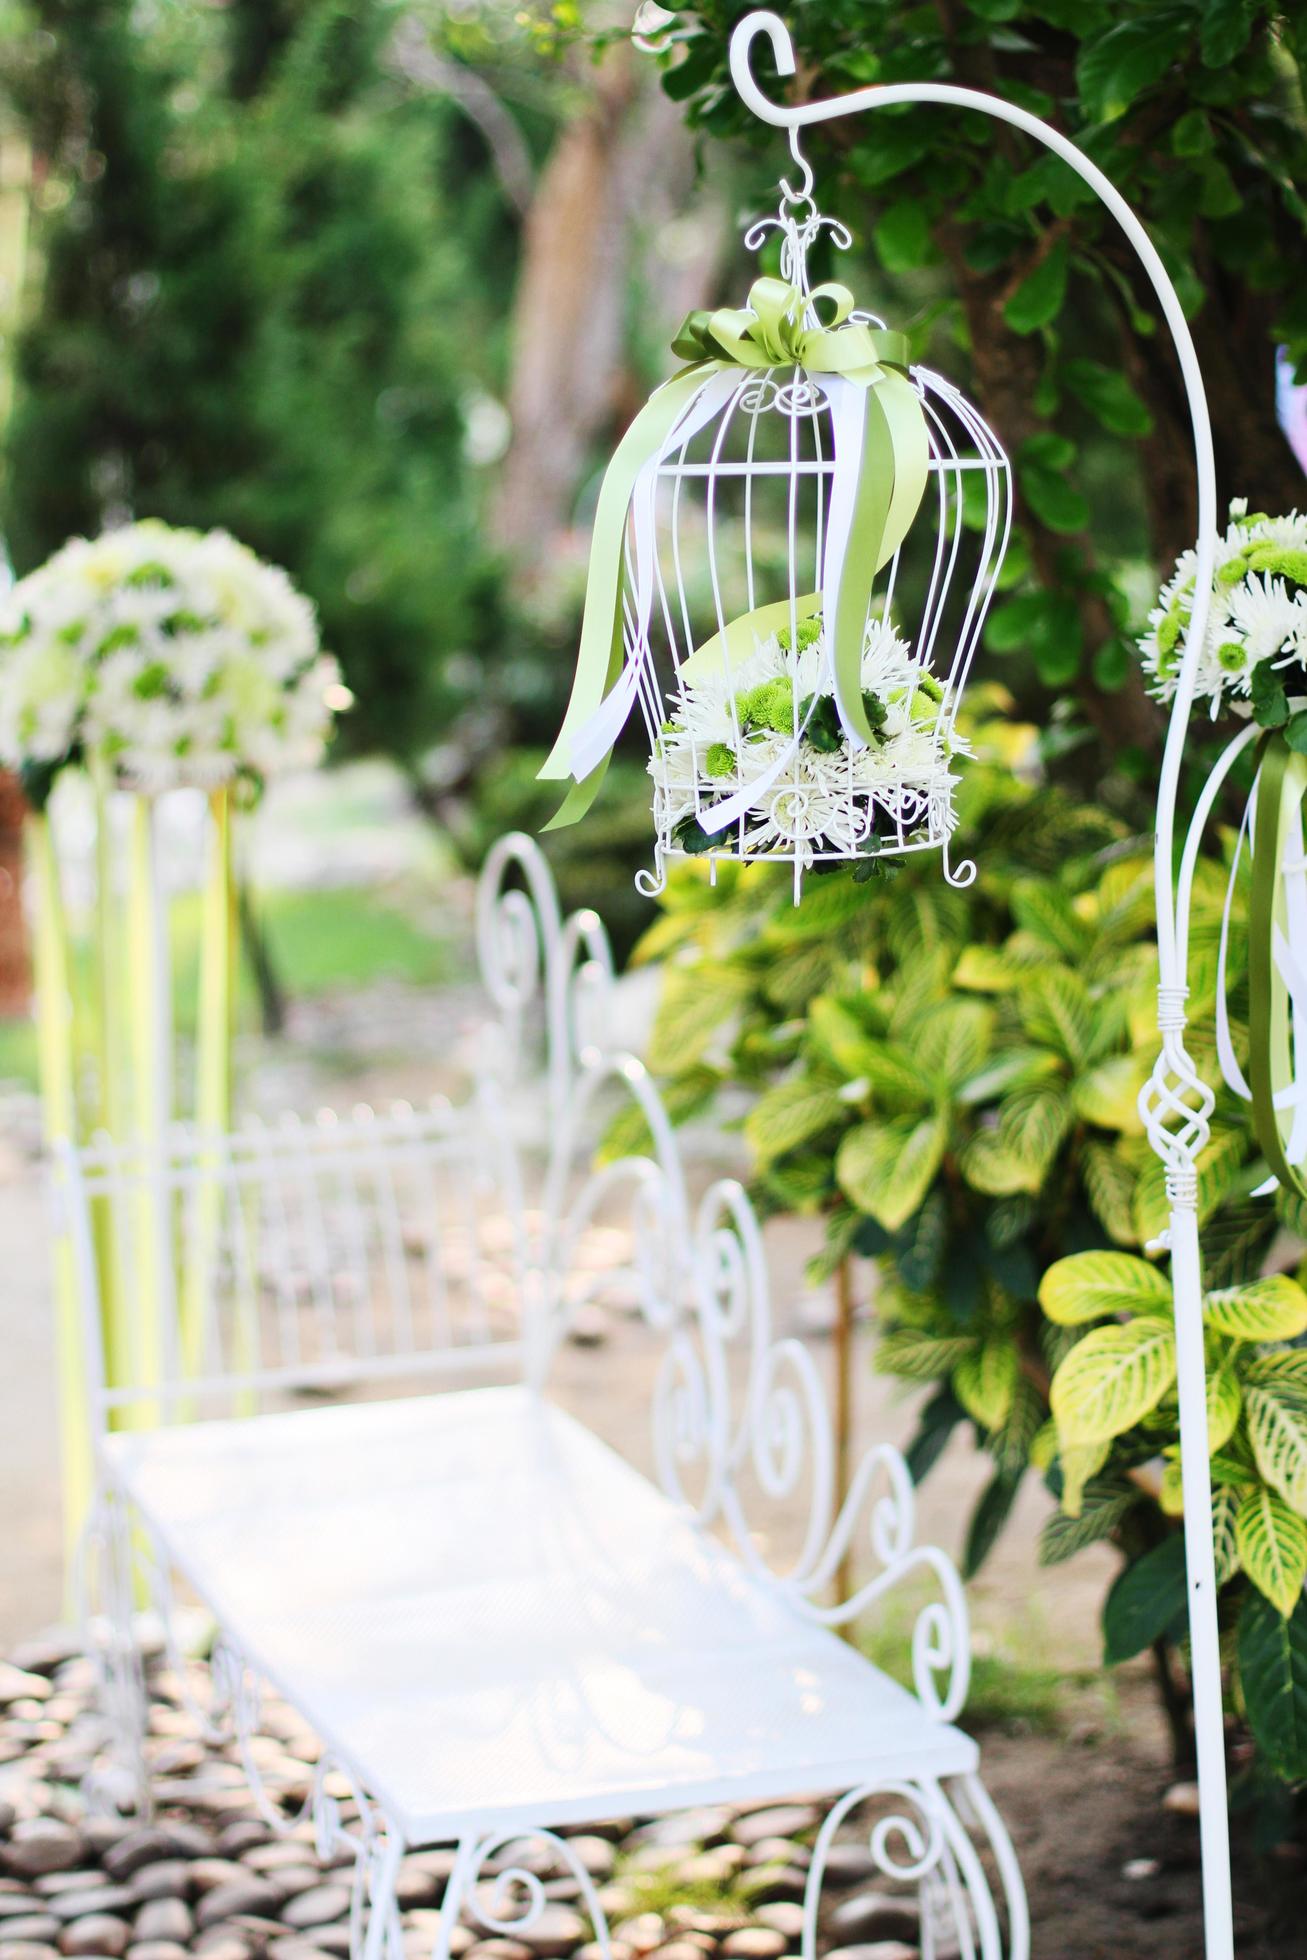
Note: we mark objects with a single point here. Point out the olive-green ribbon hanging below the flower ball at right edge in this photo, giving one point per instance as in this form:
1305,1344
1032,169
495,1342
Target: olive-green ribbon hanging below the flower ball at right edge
1281,787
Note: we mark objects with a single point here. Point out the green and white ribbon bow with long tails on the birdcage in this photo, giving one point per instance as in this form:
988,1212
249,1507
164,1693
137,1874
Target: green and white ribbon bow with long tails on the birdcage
893,462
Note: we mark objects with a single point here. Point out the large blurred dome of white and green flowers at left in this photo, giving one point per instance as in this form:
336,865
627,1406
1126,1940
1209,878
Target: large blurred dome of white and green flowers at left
169,656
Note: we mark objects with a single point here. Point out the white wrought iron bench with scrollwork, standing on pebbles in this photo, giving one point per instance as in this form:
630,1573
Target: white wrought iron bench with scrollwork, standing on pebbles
497,1626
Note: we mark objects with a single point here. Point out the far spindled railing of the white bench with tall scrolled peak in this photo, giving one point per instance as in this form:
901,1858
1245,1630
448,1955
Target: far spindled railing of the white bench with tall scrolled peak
318,1255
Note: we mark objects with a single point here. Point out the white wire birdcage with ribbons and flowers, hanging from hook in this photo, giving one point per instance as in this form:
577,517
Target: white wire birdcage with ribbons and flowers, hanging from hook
795,556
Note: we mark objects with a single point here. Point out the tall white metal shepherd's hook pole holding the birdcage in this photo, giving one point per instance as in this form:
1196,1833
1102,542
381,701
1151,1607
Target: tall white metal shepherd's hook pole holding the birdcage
1177,1102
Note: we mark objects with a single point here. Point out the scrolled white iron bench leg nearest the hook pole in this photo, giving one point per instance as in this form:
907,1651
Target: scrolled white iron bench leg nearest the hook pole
920,1839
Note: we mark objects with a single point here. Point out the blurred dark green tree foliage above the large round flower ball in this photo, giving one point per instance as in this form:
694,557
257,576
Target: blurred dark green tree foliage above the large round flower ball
252,309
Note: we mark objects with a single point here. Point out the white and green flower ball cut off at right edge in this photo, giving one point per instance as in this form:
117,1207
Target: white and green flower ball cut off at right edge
1259,612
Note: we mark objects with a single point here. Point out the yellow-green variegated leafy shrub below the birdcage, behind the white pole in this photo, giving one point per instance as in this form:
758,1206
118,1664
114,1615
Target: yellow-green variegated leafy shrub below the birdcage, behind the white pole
951,1079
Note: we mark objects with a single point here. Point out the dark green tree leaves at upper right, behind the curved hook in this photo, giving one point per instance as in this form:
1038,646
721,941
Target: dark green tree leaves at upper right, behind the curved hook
998,250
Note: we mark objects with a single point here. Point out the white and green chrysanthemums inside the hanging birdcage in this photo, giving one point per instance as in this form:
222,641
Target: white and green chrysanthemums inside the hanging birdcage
732,728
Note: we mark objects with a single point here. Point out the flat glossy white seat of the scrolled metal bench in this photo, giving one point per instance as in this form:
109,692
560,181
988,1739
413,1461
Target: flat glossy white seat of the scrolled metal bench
493,1620
